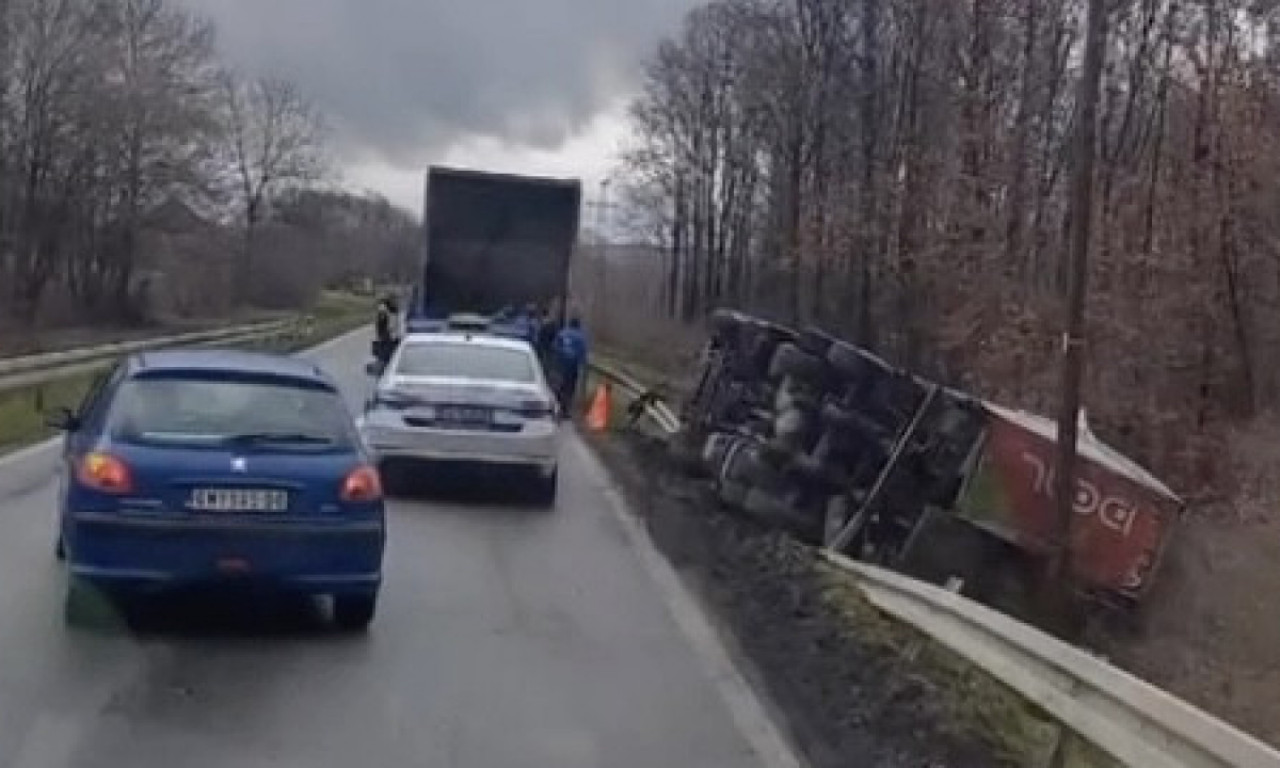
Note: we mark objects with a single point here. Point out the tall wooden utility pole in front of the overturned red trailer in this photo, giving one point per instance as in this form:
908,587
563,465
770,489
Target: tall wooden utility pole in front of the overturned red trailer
1082,225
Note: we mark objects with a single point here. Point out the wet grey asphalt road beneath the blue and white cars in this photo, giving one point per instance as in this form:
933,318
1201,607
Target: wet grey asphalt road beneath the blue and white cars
506,637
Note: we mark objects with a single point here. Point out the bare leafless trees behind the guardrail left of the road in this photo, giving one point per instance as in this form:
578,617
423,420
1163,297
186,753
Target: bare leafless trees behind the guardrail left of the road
112,111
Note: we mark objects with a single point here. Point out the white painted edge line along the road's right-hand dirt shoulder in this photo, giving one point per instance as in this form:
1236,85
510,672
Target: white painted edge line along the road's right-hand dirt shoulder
749,712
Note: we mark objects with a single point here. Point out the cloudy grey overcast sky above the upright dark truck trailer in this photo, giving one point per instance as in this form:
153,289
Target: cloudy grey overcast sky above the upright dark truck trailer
533,86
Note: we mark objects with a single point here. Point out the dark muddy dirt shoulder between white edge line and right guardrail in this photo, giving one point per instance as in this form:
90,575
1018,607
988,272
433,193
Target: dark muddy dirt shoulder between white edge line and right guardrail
856,688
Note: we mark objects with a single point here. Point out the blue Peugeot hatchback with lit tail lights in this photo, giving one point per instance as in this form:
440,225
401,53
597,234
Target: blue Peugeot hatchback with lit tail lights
216,468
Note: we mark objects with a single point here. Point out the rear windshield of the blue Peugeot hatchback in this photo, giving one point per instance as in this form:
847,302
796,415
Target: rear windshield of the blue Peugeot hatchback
213,412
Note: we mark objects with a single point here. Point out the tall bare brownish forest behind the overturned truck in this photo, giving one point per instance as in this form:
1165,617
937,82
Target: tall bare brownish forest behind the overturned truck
900,171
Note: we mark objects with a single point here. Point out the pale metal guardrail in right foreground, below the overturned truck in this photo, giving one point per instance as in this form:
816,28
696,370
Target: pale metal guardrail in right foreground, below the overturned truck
1132,721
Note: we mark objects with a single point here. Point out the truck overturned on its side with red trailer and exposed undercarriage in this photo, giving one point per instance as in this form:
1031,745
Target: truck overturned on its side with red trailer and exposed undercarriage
811,433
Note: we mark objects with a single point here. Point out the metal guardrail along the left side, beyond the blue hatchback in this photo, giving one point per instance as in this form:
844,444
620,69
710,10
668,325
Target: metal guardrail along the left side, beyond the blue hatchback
17,373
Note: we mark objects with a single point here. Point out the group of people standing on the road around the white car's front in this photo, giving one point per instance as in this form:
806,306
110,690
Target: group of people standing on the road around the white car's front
564,351
